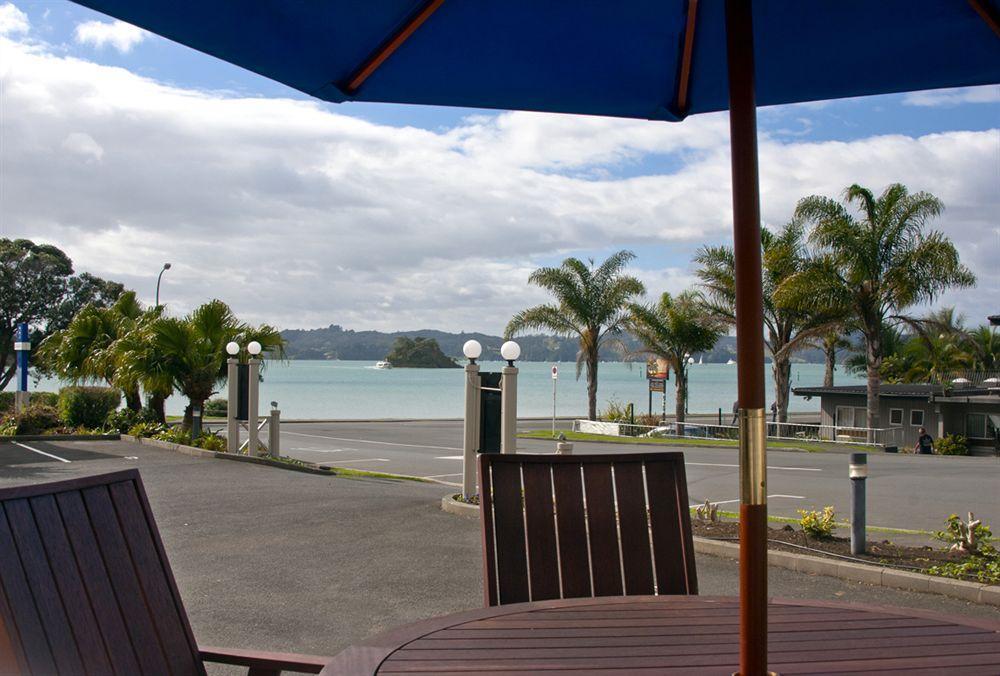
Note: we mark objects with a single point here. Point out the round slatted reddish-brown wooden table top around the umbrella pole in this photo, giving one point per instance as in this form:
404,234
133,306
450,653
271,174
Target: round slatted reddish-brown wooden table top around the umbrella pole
677,635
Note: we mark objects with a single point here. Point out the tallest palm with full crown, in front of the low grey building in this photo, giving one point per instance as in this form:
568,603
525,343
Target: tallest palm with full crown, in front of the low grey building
877,261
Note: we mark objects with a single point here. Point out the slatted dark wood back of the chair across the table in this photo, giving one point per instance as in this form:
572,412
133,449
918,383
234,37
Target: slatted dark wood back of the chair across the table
587,525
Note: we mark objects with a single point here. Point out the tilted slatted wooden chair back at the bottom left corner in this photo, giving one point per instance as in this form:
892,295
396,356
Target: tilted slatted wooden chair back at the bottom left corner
85,586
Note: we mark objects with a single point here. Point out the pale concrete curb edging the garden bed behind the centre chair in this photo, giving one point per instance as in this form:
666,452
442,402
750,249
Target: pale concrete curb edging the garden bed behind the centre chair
815,565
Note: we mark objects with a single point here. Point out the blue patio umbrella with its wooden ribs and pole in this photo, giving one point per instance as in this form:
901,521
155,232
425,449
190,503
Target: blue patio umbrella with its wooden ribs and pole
648,59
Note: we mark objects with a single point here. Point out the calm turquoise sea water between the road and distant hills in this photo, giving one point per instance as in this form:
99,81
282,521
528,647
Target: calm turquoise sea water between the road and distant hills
355,389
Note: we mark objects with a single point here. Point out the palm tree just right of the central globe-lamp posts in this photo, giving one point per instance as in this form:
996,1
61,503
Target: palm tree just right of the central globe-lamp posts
590,303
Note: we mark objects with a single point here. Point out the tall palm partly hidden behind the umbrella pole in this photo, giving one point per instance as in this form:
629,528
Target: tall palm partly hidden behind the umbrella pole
791,322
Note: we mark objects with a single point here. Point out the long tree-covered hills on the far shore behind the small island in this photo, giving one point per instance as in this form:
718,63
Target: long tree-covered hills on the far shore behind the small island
335,342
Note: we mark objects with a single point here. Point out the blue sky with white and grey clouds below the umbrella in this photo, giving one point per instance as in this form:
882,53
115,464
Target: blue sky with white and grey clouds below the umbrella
127,151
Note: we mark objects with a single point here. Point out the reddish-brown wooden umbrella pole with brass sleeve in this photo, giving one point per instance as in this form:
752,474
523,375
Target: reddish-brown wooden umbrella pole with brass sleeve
749,339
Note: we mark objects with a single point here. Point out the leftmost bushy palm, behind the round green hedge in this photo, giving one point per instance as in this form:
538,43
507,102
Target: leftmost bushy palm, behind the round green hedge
84,350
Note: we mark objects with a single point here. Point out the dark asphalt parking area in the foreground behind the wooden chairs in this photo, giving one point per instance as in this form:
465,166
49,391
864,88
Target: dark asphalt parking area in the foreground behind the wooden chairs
271,559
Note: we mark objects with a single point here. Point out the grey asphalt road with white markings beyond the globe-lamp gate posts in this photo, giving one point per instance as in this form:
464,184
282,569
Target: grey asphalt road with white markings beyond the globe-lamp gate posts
904,491
